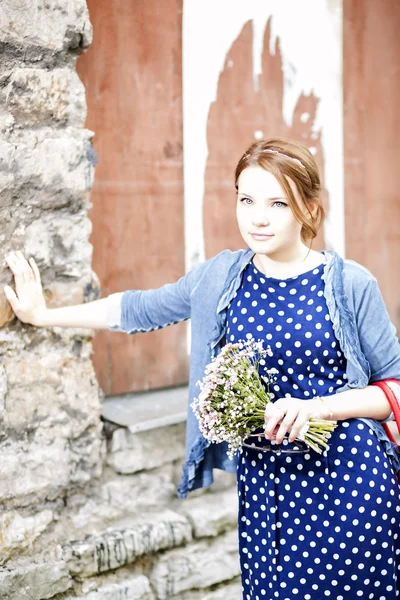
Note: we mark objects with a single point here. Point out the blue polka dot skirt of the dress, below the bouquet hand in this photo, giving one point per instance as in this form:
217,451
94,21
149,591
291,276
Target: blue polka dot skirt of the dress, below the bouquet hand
320,526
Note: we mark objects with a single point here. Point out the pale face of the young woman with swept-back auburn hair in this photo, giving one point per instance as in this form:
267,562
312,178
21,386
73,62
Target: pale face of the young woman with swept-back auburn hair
265,219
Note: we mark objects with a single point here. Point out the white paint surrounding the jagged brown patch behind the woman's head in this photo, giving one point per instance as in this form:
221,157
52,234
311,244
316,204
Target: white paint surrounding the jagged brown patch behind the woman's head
312,62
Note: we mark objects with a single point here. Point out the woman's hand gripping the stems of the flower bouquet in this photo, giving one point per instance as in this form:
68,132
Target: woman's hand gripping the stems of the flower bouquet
291,414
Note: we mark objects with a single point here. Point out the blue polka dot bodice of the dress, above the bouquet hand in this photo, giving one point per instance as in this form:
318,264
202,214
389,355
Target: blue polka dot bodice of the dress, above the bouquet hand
295,322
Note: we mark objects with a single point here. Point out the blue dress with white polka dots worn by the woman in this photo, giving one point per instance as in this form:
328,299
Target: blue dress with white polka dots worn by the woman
311,526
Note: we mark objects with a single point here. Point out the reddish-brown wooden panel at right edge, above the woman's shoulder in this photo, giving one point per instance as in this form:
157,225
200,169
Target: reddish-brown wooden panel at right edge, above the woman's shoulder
371,134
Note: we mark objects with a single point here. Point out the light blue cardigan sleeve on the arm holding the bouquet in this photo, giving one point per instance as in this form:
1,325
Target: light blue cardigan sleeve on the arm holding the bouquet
377,335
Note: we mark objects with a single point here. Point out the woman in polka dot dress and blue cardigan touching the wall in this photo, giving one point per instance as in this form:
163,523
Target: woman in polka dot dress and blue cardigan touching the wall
310,526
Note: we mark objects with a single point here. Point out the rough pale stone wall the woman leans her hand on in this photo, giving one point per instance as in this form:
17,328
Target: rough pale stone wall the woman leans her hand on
82,514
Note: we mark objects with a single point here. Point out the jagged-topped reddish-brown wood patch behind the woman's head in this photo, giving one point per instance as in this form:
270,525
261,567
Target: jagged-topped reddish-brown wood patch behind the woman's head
238,112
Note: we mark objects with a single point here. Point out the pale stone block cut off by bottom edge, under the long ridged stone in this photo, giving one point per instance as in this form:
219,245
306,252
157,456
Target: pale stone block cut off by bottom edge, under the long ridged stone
137,588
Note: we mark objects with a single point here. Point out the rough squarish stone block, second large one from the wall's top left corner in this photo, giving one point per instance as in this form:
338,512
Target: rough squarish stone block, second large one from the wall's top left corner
37,95
